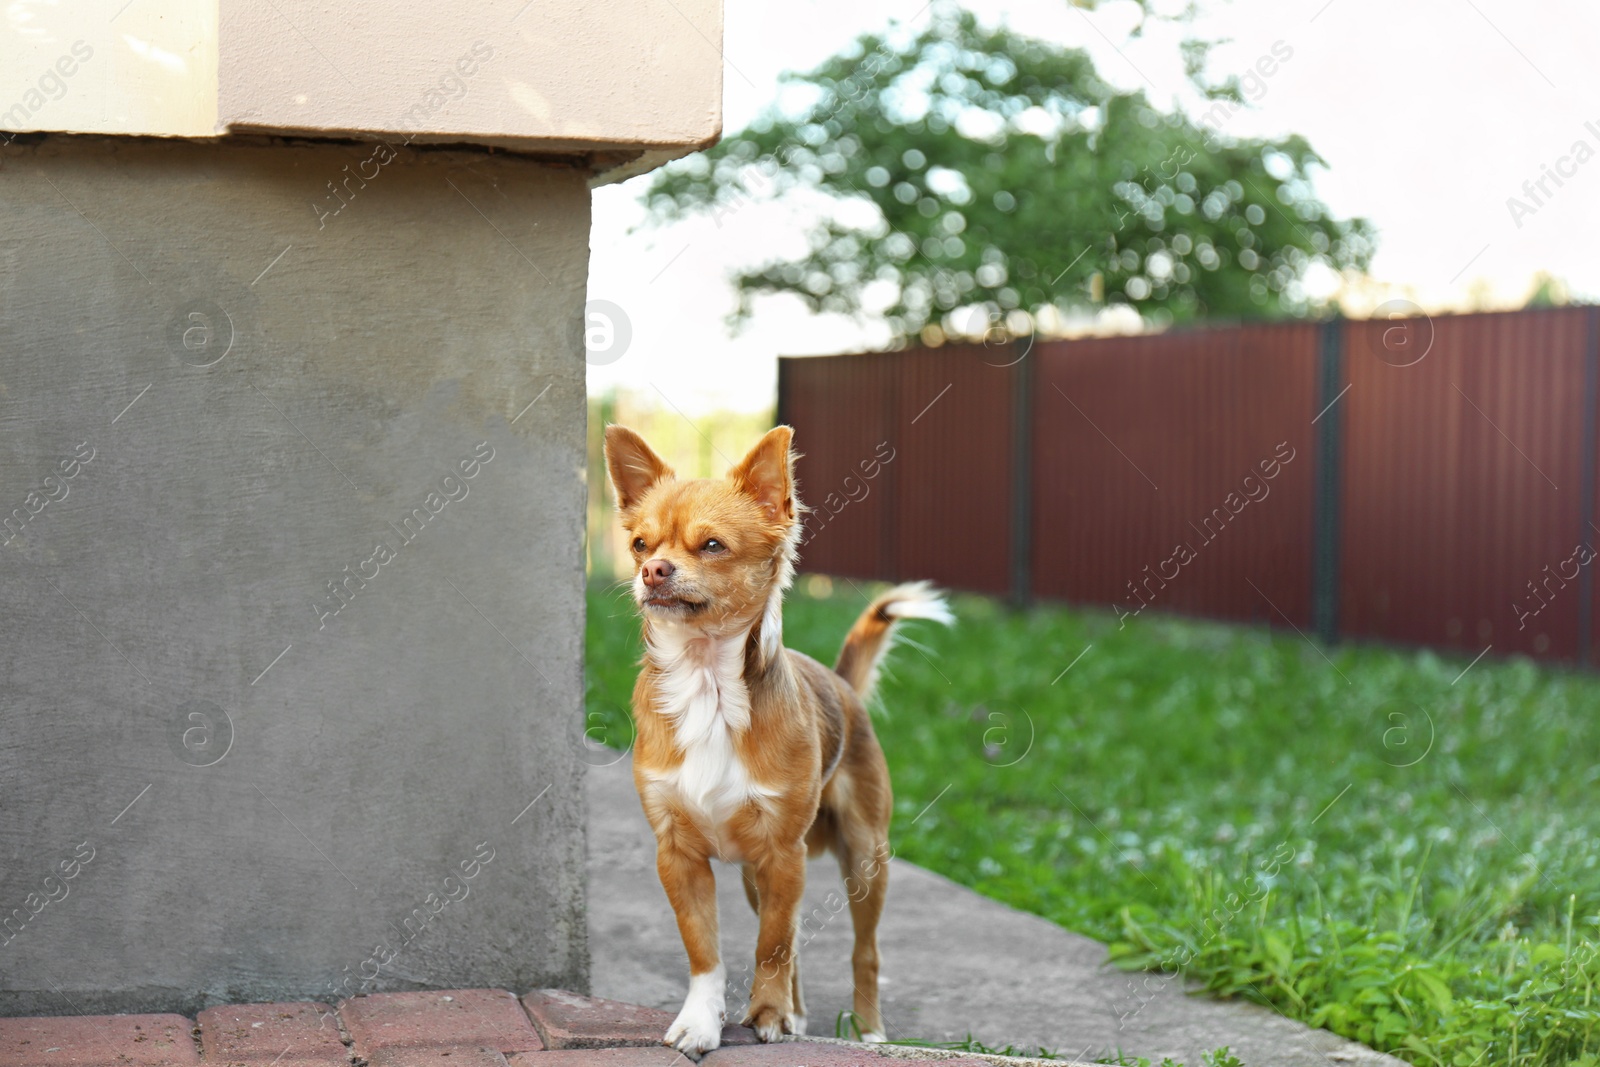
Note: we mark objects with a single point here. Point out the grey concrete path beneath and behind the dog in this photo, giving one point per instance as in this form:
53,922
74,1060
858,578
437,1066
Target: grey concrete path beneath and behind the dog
954,964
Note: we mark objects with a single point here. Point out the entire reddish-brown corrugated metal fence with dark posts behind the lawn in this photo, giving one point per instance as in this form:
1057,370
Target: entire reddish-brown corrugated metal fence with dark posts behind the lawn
1425,481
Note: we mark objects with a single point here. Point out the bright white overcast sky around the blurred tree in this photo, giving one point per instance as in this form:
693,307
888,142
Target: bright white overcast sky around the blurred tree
1431,114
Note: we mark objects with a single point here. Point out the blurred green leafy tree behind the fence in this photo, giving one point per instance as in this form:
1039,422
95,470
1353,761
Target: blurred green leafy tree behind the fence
978,175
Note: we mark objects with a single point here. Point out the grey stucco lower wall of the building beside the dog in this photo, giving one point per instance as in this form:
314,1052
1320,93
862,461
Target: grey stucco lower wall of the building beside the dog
215,398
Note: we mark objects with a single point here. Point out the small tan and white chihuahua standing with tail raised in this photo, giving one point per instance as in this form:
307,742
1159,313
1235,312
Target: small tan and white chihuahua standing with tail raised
746,751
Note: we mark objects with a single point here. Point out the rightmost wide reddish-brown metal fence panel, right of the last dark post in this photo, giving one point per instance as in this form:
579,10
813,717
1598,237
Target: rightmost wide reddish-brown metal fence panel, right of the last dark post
1463,481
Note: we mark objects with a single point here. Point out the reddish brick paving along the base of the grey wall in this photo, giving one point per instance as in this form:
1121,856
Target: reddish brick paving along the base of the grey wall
463,1028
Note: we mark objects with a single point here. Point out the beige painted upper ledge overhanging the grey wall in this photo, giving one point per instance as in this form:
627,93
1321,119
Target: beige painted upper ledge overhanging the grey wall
559,76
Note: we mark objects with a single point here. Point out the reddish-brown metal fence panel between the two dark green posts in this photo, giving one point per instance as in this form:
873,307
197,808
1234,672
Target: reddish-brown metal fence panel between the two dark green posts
1175,471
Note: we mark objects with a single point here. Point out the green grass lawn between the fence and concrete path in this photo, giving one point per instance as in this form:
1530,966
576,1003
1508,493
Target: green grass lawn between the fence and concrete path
1370,845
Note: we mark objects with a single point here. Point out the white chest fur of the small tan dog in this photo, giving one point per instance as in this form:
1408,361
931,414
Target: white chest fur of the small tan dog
702,692
